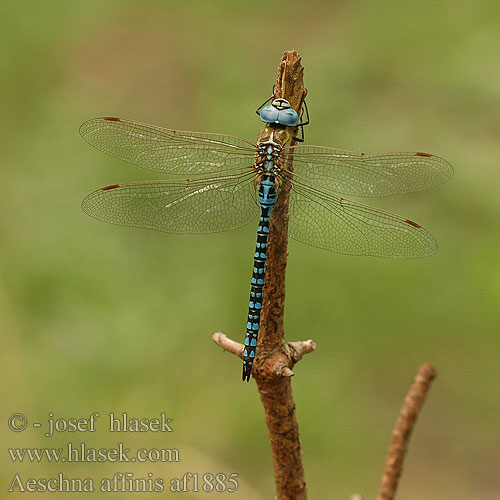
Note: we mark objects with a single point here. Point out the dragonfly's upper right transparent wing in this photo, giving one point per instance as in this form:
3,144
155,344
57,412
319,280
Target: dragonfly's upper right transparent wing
368,174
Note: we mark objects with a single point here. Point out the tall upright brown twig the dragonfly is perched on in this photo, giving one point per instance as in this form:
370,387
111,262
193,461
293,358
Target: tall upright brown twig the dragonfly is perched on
275,358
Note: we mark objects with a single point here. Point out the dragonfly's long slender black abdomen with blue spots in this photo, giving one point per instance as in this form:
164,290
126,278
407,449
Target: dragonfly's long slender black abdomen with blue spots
268,192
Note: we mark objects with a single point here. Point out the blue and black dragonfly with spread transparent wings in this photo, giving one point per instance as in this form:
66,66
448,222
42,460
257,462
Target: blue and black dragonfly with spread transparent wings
232,181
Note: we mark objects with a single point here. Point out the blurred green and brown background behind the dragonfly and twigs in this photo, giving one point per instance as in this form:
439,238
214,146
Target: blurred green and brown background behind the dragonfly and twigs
103,318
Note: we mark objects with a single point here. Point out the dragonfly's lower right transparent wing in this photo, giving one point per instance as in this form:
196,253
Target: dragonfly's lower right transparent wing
323,220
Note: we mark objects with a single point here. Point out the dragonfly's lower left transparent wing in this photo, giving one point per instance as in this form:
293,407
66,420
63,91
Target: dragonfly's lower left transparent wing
202,205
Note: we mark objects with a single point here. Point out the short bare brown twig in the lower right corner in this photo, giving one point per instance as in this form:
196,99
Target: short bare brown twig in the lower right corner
402,431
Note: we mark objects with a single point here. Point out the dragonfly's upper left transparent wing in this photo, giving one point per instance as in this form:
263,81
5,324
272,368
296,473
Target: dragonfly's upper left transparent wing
168,151
